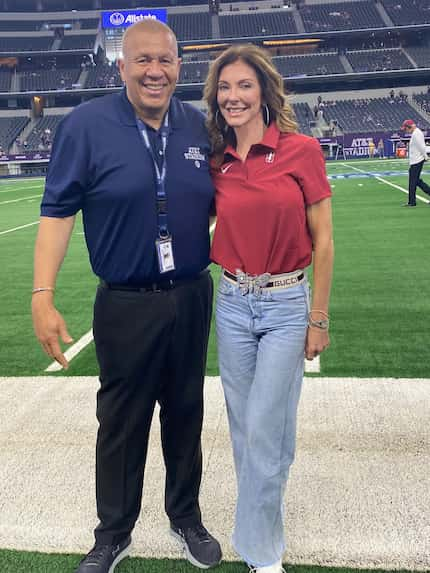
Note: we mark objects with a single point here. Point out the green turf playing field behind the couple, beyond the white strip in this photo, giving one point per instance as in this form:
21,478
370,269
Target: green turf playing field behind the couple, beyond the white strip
380,301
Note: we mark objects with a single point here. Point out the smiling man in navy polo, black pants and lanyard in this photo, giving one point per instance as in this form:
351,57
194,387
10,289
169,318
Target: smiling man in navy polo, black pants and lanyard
136,164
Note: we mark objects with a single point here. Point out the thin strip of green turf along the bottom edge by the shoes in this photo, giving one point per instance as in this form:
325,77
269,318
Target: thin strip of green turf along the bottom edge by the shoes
27,562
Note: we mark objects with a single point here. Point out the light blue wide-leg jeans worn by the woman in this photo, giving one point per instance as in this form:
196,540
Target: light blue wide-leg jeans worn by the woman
261,343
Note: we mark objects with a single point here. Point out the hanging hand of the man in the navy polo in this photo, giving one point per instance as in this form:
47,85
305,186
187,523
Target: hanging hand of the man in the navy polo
49,326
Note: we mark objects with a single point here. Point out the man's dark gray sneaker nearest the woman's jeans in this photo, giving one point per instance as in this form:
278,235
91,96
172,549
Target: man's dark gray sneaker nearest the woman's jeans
201,549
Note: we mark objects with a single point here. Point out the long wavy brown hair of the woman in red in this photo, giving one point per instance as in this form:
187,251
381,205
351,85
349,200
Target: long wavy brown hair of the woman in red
272,94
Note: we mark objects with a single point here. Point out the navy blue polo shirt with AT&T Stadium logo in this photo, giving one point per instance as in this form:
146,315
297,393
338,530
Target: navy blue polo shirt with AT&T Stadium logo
100,165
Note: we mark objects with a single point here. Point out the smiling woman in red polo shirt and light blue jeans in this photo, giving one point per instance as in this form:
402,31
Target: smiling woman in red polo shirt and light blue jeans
273,212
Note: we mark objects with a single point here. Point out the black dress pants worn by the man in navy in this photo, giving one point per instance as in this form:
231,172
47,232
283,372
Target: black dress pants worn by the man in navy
151,346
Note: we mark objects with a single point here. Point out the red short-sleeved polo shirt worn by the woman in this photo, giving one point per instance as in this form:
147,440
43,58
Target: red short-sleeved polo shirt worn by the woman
261,204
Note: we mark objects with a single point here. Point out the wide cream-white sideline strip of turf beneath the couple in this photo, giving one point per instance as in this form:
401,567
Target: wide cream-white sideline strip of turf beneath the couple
359,493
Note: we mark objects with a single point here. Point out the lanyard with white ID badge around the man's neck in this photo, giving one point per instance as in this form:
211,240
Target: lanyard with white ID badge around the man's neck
164,243
